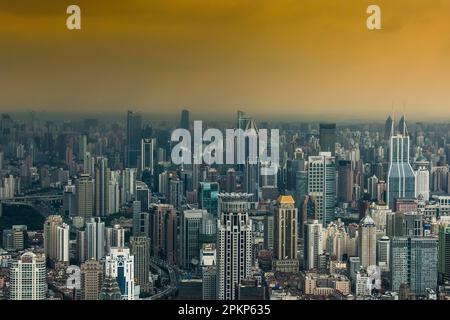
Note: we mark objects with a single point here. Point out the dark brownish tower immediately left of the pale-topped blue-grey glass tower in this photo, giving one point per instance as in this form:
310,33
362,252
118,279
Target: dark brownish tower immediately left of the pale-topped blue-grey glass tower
163,232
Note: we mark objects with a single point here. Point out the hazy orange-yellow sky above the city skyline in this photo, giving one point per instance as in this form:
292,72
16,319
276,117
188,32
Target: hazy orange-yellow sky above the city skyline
283,57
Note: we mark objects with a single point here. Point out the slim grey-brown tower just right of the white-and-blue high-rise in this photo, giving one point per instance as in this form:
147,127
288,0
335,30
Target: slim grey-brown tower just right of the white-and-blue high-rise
140,249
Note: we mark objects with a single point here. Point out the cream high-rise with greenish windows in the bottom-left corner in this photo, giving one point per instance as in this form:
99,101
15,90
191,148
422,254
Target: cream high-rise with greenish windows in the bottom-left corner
27,277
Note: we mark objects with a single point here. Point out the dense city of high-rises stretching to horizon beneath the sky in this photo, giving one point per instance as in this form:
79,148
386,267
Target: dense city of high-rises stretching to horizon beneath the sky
94,209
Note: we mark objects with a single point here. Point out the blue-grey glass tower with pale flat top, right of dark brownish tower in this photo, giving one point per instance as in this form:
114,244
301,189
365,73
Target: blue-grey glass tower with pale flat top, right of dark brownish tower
190,230
